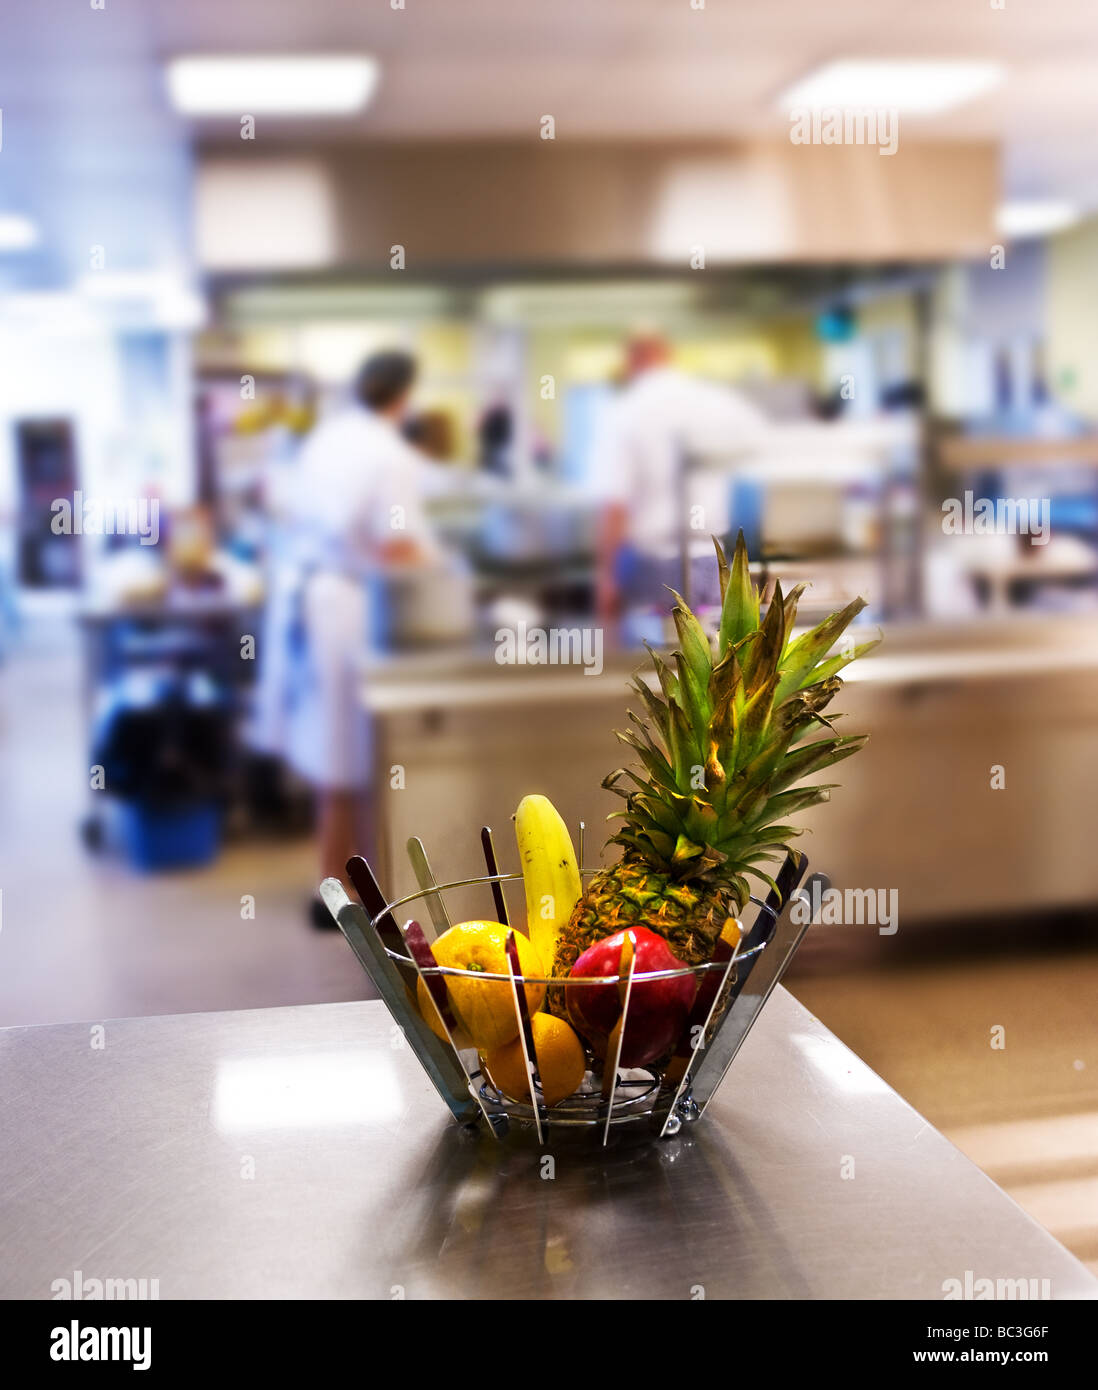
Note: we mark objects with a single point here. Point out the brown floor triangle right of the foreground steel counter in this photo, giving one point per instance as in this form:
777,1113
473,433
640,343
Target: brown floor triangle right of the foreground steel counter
1026,1113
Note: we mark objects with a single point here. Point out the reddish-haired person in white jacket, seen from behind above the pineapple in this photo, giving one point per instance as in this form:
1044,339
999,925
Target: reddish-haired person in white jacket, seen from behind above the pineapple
661,418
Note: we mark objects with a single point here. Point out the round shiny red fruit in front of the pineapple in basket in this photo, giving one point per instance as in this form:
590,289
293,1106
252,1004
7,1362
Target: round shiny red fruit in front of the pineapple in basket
658,1008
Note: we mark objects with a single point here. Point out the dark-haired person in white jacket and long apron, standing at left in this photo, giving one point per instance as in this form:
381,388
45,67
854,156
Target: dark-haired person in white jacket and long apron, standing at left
355,508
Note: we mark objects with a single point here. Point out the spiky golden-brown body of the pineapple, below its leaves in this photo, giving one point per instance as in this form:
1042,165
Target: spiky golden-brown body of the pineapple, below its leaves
689,915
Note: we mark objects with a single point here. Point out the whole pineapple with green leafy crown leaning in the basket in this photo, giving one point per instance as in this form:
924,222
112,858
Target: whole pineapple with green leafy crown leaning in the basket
725,754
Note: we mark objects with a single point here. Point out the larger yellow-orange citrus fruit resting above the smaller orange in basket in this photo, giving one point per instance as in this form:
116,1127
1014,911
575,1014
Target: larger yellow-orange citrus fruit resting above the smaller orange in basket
483,1008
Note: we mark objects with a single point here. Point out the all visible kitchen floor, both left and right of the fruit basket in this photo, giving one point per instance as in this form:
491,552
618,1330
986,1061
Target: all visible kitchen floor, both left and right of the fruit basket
85,939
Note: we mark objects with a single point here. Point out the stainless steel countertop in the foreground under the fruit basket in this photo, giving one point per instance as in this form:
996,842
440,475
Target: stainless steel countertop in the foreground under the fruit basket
290,1153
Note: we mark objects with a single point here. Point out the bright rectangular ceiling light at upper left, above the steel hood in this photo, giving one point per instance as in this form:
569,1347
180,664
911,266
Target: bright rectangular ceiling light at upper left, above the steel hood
272,85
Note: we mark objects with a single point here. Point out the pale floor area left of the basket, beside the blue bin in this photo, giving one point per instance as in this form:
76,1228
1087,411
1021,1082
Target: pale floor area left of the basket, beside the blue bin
85,939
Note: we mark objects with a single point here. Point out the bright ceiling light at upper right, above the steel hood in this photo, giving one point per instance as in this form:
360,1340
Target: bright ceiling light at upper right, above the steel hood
915,87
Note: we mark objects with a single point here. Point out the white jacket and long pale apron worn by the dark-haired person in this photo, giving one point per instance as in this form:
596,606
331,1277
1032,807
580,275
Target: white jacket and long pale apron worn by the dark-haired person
358,486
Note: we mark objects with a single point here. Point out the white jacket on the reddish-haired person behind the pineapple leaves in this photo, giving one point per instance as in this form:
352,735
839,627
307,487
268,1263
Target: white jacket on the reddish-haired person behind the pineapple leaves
636,458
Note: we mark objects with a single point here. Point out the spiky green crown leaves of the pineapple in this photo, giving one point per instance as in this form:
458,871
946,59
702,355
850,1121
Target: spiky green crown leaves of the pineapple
722,740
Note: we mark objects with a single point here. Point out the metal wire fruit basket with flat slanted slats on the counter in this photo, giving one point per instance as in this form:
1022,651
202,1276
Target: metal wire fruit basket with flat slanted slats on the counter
659,1095
